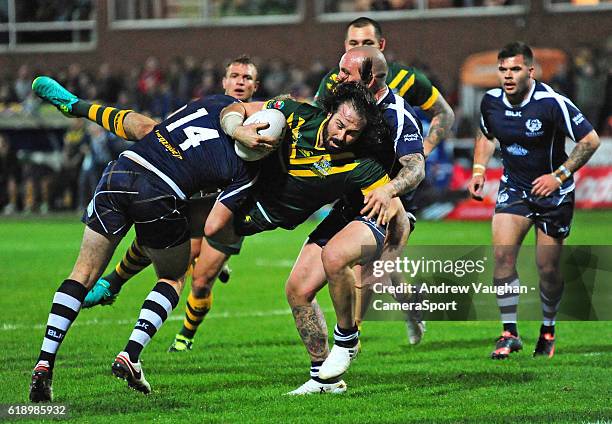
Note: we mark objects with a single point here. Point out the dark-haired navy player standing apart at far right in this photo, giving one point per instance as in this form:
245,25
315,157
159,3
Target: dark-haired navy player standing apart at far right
531,122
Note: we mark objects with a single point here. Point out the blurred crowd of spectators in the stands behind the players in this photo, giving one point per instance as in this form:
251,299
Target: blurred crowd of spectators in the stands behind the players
64,175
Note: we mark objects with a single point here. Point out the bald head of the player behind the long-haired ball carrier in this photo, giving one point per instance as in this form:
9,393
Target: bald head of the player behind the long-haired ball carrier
366,64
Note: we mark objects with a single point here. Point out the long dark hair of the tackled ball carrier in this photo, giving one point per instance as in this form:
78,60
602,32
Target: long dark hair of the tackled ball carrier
364,103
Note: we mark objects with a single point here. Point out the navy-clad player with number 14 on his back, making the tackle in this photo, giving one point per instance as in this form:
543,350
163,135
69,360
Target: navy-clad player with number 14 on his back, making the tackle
148,186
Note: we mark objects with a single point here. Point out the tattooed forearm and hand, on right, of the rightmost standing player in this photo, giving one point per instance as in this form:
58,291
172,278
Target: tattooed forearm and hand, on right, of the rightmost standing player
546,184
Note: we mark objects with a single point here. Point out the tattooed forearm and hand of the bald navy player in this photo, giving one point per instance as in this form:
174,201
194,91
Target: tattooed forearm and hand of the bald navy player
377,201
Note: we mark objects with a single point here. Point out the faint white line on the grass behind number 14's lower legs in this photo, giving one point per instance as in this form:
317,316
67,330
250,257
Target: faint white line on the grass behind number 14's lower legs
175,317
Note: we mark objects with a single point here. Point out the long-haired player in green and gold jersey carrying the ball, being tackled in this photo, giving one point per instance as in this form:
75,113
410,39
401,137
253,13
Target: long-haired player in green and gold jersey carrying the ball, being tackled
319,161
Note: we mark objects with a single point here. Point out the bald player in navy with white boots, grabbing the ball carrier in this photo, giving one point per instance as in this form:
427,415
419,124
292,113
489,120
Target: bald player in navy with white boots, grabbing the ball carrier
336,246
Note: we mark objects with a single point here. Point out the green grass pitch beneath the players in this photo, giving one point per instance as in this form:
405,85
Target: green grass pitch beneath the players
248,354
